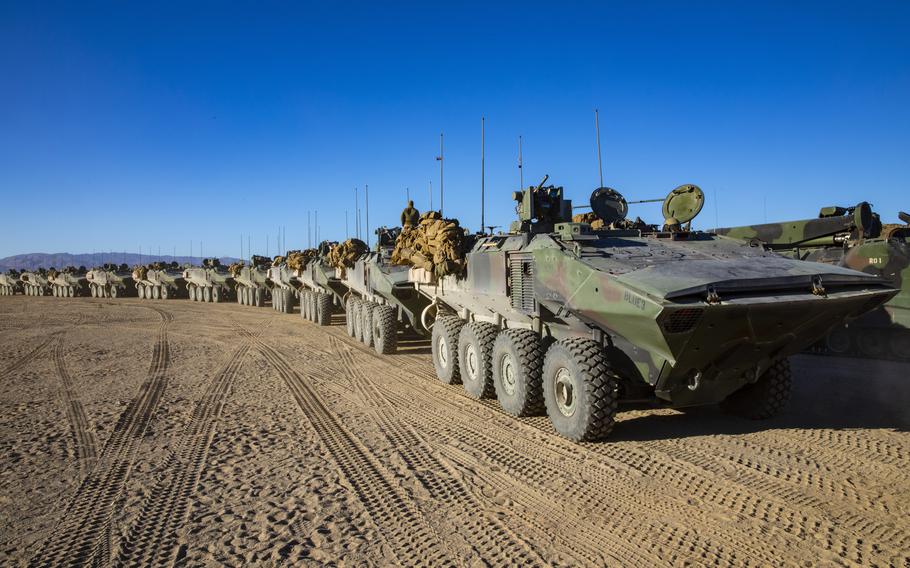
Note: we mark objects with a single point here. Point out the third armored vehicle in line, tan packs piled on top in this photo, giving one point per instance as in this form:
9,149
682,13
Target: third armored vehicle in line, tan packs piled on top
321,287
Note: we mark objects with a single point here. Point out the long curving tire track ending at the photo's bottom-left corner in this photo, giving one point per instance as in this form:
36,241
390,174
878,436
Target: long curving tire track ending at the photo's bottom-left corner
83,534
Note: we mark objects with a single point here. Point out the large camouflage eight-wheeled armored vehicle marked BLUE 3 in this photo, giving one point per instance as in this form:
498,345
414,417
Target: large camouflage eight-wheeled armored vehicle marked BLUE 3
556,315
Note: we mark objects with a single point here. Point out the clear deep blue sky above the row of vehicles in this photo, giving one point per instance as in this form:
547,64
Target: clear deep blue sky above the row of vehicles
128,124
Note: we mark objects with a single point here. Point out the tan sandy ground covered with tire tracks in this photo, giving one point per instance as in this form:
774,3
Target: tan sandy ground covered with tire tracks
175,433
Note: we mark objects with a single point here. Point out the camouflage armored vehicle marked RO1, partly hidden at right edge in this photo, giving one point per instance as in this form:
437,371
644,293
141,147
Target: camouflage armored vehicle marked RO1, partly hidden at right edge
853,237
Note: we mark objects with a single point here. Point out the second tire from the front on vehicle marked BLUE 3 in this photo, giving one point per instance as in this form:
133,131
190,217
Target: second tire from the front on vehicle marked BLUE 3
518,372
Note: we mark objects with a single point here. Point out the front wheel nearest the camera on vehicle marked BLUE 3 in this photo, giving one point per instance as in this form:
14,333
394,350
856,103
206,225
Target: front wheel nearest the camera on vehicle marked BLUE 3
580,390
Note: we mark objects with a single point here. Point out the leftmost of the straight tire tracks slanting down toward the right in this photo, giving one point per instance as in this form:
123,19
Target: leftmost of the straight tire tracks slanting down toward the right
400,521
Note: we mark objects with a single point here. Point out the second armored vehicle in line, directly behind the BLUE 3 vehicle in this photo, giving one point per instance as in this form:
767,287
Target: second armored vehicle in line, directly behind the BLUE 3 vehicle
382,301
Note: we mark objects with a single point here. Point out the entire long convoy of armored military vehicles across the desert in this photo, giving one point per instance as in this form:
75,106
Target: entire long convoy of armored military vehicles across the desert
575,316
